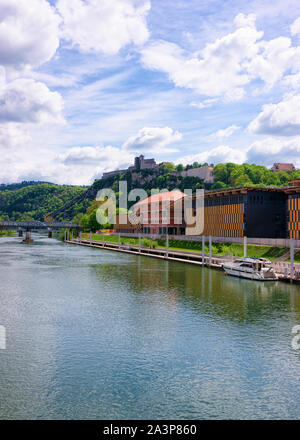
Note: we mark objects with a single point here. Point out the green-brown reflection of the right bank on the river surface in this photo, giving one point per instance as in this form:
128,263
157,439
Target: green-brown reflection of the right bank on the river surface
229,297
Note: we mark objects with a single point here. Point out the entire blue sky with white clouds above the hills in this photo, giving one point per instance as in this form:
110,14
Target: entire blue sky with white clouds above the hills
87,85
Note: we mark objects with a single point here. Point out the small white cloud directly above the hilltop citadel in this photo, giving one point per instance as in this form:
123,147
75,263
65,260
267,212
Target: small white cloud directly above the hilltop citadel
153,139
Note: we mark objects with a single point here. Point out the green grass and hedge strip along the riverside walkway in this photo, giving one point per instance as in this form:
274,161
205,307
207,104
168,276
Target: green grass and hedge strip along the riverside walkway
220,249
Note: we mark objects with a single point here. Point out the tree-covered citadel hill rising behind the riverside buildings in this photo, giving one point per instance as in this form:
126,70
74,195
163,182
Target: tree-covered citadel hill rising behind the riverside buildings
226,175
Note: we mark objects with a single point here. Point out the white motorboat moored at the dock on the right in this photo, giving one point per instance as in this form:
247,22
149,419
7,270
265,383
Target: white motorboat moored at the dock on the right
251,268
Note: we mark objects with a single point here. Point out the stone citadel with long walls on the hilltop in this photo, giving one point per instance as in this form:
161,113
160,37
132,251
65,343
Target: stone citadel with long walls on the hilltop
140,163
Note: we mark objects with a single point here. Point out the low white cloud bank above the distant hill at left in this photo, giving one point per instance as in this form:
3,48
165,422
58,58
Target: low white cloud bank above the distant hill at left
78,166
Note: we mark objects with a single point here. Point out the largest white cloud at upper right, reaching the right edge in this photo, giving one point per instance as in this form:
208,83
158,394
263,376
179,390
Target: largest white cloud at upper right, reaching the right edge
223,68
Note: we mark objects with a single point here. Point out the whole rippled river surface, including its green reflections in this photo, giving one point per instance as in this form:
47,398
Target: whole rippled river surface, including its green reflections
94,334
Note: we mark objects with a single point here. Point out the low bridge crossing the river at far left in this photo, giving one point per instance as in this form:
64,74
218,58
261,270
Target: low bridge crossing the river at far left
29,226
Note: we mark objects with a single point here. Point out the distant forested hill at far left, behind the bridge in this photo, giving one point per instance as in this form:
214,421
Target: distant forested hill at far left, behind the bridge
36,201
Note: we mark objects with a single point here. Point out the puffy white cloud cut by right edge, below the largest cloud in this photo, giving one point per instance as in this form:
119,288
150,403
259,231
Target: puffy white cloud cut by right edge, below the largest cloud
282,119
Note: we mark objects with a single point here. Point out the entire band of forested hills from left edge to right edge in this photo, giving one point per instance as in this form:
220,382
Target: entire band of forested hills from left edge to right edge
31,200
